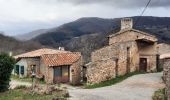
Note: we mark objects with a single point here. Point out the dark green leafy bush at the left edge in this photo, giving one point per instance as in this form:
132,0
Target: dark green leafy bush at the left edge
6,66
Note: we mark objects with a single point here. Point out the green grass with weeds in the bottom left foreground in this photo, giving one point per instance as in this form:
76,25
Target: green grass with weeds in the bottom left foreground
23,94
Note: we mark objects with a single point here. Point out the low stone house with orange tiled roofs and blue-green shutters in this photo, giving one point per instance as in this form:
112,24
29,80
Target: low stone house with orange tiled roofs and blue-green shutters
55,66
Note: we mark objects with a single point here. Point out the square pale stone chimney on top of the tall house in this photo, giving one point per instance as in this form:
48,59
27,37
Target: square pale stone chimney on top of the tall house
126,23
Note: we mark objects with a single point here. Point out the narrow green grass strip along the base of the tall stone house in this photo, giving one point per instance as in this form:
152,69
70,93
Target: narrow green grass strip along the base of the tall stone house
112,81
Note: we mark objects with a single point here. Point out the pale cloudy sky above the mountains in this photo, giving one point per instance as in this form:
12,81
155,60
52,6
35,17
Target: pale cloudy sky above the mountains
24,16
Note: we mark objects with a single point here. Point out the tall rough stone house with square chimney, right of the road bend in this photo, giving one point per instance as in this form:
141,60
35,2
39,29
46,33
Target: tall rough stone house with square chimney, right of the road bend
129,50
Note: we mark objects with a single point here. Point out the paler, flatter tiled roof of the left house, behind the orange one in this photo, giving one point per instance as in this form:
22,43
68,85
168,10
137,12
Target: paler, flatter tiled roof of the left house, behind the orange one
39,52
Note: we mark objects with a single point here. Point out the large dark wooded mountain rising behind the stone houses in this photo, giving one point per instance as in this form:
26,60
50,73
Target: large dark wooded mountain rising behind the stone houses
88,34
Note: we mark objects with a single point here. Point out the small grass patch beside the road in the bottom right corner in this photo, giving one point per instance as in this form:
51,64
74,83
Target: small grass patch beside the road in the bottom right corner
159,94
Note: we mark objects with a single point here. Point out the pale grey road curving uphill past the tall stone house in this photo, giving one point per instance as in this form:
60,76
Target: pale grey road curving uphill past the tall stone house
138,87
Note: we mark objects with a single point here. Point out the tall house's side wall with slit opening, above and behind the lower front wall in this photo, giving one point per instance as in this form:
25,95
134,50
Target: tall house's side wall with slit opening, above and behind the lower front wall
119,51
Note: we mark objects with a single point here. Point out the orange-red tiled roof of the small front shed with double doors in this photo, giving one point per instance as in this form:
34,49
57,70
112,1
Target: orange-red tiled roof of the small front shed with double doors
60,59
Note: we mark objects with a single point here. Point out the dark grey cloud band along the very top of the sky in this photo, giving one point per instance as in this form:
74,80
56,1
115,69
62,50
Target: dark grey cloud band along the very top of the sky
114,3
